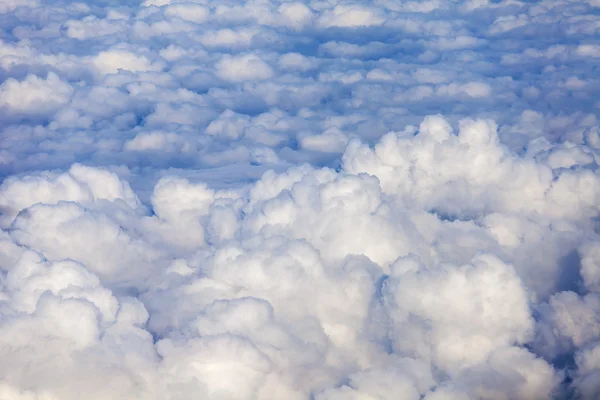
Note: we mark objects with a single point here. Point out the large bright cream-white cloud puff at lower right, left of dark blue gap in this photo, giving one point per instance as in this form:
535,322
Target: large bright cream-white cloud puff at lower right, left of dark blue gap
450,296
